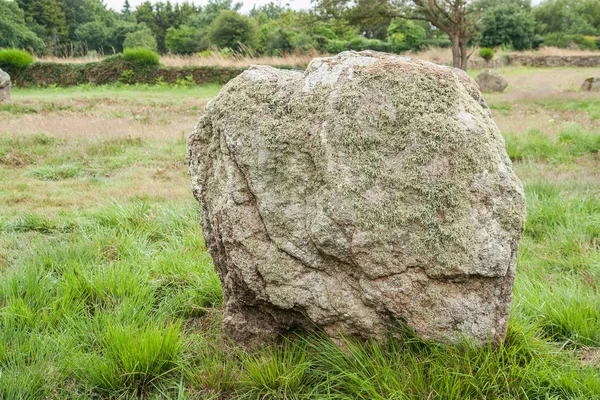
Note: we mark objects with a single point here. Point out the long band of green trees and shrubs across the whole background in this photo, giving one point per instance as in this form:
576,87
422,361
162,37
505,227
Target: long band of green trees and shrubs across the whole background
88,28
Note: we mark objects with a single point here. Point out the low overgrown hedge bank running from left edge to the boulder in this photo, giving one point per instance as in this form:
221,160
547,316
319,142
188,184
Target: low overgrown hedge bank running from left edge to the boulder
115,70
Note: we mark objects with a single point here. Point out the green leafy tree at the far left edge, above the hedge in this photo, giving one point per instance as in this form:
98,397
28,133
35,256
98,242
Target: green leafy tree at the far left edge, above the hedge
15,32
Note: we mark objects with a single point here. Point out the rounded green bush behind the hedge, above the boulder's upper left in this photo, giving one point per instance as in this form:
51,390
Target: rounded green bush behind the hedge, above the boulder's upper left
232,30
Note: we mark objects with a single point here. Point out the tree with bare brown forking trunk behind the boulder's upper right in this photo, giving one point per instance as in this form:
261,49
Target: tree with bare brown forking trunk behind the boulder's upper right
455,17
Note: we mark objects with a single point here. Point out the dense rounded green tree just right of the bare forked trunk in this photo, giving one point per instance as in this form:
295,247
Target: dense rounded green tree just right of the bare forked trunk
508,24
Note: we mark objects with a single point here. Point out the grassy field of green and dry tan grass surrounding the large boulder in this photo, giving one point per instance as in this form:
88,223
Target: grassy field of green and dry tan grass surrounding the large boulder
107,290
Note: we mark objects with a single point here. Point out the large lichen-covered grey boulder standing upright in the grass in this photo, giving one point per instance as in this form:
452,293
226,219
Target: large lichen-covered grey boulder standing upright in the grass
367,191
